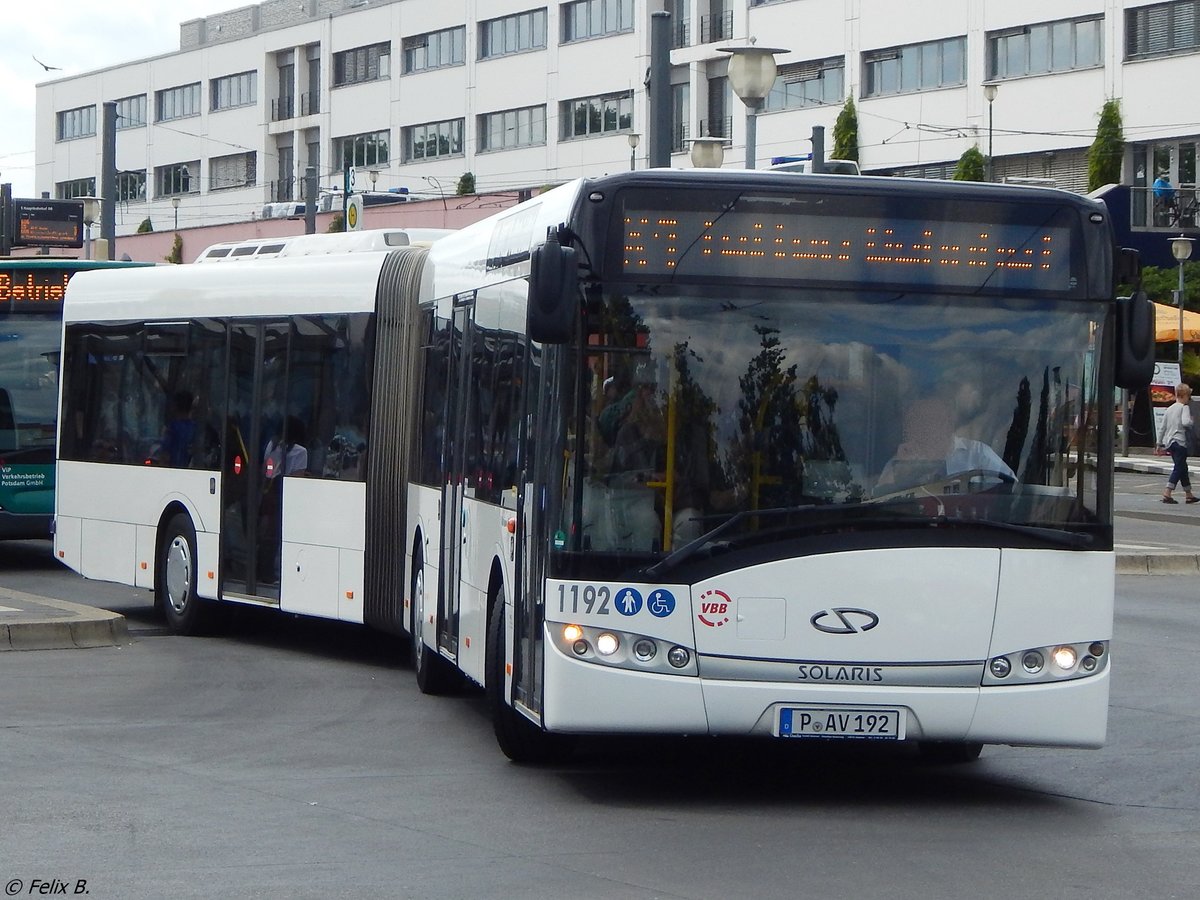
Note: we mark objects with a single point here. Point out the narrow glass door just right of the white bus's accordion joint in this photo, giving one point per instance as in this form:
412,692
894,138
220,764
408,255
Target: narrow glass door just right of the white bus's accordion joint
457,455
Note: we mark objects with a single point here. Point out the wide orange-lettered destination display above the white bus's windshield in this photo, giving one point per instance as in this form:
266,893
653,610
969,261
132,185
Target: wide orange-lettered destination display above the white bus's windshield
778,245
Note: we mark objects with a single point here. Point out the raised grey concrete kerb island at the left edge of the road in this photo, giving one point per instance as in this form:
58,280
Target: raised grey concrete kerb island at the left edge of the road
61,626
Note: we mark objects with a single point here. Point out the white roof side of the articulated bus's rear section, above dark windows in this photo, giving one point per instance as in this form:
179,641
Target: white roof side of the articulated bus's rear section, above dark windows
281,287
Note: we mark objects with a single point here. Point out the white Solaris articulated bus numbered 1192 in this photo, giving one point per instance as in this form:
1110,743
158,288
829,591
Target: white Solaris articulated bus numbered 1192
661,453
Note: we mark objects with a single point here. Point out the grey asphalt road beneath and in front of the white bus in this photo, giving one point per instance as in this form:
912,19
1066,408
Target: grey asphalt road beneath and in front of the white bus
293,759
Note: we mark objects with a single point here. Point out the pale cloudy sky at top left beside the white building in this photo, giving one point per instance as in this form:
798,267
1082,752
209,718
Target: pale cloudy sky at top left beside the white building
76,37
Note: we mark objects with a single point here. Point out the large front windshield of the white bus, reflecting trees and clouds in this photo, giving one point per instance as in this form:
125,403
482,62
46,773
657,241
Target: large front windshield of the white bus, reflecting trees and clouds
700,406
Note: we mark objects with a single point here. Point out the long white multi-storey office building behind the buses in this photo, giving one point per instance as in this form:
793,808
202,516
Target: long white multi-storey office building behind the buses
523,95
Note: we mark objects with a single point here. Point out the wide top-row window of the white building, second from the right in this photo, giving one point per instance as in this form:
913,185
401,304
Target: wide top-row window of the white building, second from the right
1049,47
